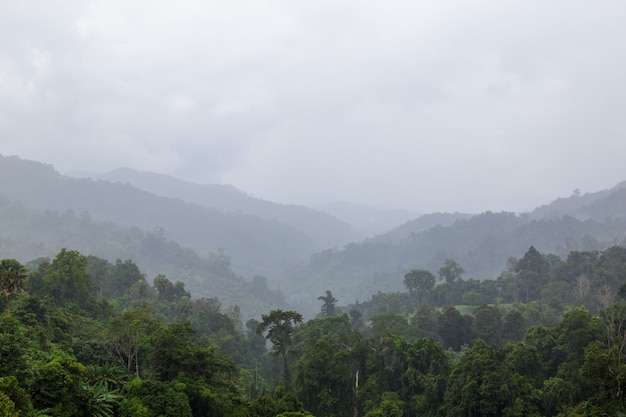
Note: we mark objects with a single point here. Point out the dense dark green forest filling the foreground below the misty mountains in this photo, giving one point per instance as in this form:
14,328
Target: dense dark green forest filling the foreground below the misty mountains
82,336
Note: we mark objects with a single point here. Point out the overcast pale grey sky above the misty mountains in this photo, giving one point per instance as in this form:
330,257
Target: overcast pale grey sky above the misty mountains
424,105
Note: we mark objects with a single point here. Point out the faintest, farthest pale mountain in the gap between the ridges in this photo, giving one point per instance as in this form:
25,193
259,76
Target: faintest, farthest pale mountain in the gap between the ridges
368,220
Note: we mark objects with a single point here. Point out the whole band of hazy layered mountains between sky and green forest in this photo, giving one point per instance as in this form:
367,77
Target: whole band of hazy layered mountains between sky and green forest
224,243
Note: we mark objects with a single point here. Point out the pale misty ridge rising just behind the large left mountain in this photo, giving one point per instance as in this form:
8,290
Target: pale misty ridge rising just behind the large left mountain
325,230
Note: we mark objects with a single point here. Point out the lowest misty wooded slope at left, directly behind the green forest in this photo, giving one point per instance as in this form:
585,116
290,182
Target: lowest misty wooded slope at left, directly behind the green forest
27,234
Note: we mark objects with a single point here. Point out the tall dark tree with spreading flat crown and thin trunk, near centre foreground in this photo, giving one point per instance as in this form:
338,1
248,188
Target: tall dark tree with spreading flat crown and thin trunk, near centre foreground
279,325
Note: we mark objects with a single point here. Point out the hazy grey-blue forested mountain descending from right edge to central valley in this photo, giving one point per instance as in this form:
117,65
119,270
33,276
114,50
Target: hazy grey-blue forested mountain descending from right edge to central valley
480,243
